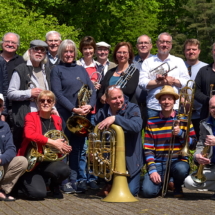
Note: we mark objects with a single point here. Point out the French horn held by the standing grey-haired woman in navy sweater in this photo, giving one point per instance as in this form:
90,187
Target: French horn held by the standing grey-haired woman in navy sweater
80,125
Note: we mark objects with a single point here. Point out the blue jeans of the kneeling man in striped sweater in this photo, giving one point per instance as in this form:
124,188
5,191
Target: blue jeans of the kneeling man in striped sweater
179,171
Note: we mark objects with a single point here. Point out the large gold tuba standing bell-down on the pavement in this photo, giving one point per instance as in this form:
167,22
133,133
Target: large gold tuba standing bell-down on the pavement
106,158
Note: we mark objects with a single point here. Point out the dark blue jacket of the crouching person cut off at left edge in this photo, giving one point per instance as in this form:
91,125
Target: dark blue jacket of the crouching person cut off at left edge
7,148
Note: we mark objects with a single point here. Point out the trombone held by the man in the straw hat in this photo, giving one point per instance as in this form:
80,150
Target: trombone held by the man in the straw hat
186,100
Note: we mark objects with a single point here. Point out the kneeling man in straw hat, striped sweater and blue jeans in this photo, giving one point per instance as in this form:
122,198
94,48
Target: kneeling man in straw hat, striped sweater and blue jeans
157,141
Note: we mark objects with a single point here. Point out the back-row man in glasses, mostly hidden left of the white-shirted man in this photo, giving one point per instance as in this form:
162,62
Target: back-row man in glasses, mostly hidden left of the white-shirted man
144,46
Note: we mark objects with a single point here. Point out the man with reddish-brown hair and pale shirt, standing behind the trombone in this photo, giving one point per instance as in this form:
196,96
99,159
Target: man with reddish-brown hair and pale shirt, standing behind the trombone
191,52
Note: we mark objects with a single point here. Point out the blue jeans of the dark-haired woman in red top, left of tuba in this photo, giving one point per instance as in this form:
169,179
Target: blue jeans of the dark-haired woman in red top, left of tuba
83,168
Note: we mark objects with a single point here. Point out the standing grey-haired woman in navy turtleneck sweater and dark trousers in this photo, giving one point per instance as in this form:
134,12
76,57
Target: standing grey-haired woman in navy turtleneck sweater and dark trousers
66,82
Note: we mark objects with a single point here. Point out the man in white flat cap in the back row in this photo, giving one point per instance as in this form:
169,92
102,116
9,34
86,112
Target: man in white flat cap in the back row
102,52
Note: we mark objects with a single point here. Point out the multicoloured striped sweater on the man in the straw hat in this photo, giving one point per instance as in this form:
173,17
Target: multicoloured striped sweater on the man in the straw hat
158,135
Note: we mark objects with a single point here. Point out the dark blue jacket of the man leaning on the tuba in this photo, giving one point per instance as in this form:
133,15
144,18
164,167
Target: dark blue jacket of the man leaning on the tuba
129,118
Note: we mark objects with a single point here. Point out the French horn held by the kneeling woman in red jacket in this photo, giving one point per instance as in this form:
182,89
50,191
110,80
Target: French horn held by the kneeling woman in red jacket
49,154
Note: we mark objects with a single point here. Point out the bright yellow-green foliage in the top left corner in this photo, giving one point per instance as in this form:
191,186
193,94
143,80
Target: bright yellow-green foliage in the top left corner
30,25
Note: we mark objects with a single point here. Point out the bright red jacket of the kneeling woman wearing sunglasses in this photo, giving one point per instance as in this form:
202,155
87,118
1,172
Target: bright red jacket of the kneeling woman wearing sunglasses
33,131
